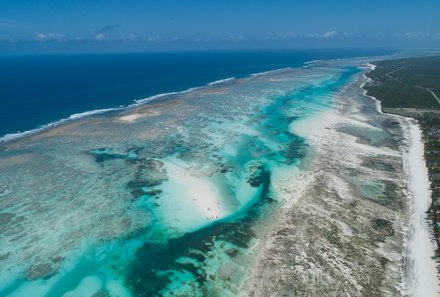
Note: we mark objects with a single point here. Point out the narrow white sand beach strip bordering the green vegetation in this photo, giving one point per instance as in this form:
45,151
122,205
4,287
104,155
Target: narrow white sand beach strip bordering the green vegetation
420,246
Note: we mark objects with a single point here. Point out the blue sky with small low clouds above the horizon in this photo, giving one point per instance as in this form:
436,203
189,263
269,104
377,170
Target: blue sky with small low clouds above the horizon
134,25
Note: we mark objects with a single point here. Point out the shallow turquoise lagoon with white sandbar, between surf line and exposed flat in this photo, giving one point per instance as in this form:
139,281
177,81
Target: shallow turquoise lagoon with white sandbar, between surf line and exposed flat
161,198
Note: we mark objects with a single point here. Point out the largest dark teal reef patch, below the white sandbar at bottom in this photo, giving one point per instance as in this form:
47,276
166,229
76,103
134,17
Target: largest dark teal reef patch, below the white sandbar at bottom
149,273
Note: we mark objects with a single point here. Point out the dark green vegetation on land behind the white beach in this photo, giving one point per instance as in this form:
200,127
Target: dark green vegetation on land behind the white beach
402,86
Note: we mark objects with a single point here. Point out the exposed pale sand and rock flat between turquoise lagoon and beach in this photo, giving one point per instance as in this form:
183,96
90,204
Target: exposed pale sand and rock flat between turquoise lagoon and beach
341,232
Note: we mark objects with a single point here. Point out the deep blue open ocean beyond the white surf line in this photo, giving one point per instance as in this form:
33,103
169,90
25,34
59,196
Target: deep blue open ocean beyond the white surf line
39,89
